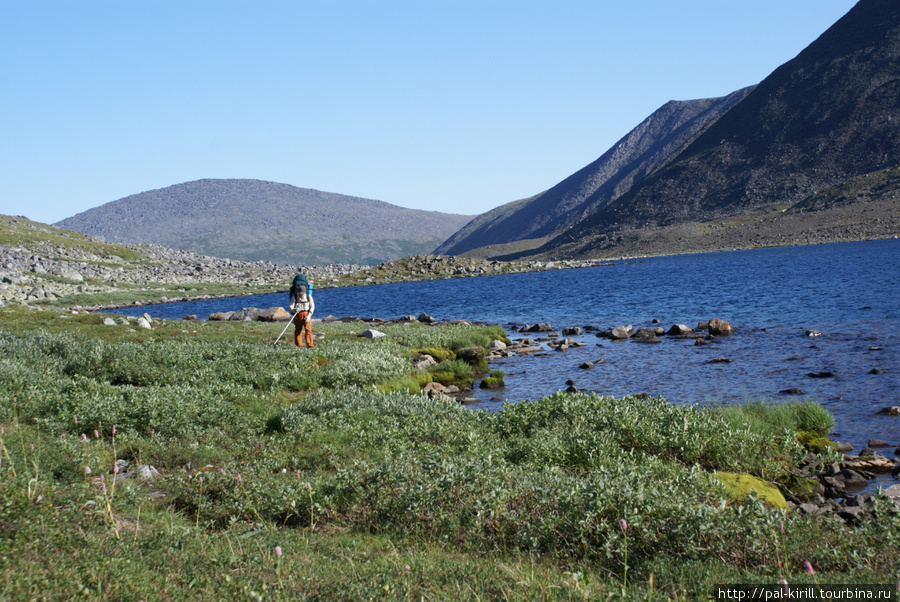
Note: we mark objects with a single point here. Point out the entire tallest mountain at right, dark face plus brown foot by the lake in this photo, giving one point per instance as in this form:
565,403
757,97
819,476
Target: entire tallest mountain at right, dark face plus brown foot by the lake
817,125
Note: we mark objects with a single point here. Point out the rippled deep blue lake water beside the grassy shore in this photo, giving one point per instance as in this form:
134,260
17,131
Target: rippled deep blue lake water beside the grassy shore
848,291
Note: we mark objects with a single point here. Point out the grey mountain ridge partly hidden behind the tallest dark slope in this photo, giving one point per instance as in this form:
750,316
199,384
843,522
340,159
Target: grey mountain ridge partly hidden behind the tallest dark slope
585,192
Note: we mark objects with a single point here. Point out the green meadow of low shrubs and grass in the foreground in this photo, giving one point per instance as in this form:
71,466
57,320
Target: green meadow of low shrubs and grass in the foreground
281,473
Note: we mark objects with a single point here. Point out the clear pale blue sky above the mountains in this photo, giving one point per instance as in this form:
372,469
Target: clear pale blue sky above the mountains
446,105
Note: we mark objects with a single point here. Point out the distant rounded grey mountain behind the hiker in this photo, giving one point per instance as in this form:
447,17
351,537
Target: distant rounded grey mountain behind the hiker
255,220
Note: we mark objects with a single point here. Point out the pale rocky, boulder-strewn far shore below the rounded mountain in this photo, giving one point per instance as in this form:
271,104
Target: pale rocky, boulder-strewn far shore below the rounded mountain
48,272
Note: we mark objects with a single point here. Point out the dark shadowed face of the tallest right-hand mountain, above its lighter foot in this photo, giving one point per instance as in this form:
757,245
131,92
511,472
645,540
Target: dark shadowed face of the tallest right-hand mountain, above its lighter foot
830,114
